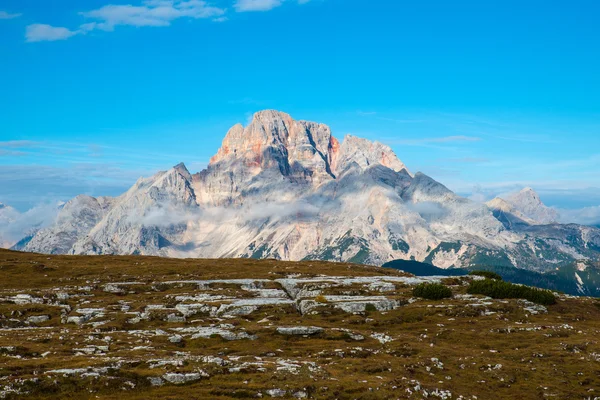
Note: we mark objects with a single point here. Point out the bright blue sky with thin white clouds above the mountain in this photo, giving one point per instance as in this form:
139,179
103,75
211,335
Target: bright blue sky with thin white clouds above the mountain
485,96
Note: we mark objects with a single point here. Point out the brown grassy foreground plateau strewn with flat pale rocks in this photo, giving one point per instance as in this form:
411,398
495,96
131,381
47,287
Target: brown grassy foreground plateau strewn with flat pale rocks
113,327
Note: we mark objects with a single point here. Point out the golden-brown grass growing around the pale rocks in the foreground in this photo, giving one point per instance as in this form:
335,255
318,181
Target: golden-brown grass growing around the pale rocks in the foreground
554,355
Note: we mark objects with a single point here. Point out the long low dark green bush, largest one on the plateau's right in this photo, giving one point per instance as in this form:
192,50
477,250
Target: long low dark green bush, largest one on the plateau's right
504,290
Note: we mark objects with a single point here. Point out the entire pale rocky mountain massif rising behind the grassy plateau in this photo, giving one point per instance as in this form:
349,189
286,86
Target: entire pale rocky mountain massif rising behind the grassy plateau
286,189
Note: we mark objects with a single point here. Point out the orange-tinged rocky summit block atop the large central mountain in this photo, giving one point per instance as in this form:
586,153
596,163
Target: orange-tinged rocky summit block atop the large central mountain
300,149
